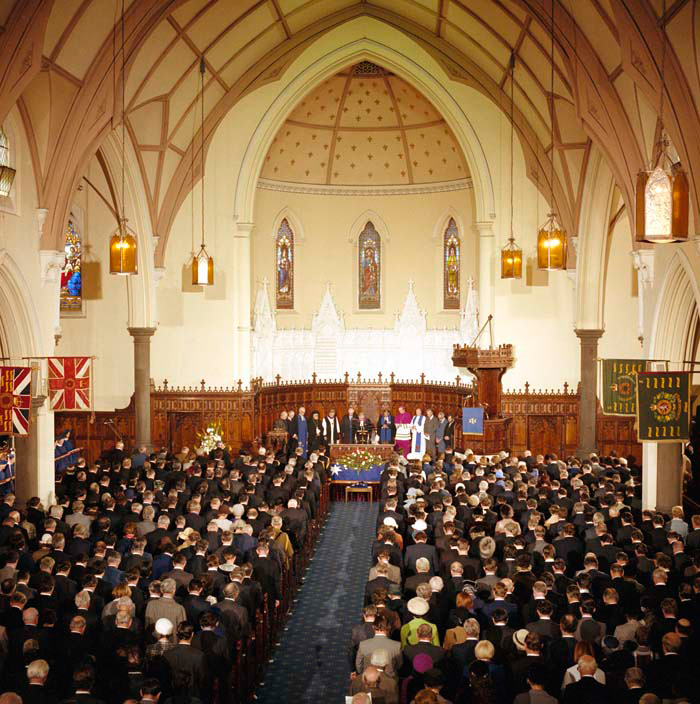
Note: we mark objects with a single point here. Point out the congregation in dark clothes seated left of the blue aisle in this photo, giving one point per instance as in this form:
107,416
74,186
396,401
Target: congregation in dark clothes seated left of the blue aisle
153,578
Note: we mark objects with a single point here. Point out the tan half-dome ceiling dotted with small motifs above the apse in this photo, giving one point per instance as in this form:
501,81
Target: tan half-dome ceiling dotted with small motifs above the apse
365,126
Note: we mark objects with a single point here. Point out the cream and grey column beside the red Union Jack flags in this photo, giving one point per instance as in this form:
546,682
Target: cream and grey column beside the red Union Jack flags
35,455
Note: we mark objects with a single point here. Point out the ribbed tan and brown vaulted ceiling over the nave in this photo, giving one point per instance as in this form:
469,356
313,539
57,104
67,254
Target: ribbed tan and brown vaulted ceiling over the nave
60,56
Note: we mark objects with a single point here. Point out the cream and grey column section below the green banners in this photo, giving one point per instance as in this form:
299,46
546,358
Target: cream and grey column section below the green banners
662,475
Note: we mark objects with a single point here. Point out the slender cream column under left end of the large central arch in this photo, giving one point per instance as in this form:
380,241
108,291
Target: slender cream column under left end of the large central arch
242,310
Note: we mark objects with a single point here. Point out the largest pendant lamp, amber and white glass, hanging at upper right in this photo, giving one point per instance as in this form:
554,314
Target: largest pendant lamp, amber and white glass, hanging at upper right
662,197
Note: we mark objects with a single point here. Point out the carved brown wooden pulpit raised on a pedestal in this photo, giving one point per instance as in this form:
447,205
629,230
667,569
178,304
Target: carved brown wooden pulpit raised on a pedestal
488,366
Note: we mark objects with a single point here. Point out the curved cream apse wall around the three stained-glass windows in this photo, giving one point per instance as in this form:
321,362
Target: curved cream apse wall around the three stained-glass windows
324,253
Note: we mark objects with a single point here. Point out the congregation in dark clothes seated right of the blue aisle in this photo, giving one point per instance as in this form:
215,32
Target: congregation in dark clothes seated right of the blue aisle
527,580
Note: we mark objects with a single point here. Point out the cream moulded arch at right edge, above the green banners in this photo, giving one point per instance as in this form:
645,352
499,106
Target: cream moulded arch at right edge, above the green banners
675,308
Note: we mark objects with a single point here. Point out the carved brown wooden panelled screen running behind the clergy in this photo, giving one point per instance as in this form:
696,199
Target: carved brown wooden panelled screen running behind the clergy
544,420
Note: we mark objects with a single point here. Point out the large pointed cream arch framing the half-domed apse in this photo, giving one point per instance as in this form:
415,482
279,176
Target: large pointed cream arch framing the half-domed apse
395,60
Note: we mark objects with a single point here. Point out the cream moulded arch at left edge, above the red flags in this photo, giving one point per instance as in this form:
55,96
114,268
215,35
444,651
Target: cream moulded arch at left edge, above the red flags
19,324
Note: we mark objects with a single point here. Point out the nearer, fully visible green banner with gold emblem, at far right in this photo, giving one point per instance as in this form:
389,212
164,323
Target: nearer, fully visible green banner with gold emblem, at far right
663,403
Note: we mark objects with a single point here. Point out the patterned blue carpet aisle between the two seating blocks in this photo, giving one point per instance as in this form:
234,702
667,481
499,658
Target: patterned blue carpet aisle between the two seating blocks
311,663
